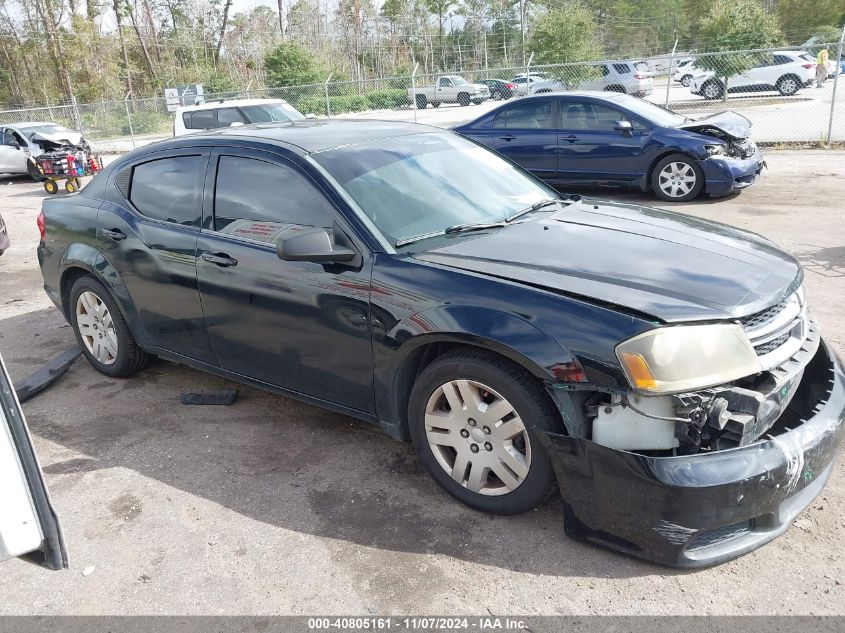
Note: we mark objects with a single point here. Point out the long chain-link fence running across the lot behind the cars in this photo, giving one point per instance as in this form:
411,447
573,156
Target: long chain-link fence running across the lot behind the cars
781,91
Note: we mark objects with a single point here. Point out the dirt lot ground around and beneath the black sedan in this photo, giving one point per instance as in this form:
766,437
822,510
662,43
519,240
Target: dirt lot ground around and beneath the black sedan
275,507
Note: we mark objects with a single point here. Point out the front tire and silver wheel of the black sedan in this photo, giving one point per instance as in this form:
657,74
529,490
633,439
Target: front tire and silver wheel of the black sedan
474,419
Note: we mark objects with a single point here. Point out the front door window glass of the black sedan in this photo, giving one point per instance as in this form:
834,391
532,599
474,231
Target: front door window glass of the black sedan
255,199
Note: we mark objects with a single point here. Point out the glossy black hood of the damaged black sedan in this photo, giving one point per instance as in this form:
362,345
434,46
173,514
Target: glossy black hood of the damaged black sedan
669,266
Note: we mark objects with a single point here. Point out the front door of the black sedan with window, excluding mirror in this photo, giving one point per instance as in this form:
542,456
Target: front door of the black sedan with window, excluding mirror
299,325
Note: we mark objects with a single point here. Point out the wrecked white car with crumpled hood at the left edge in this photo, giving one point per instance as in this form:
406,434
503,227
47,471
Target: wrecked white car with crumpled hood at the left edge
21,142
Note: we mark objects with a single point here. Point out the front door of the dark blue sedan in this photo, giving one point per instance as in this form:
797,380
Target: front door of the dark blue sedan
590,149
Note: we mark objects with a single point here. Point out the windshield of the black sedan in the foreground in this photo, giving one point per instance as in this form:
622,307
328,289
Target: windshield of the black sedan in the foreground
424,183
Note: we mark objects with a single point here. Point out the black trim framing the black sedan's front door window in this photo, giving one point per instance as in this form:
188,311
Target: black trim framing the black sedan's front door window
238,151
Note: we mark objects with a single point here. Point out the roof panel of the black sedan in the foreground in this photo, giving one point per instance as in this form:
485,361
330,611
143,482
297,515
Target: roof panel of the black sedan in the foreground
315,135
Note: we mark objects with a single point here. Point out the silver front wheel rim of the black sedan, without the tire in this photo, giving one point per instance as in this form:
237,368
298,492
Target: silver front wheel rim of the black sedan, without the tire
477,437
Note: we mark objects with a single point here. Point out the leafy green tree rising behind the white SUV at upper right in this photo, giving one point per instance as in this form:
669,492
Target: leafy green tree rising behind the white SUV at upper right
732,25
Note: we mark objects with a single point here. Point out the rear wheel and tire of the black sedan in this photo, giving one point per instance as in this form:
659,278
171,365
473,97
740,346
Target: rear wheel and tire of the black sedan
101,330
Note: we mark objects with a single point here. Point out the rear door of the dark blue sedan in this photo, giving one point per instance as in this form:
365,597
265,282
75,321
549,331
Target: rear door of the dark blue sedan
526,132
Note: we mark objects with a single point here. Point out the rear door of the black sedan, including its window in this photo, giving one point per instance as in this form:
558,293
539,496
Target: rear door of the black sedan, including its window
148,232
